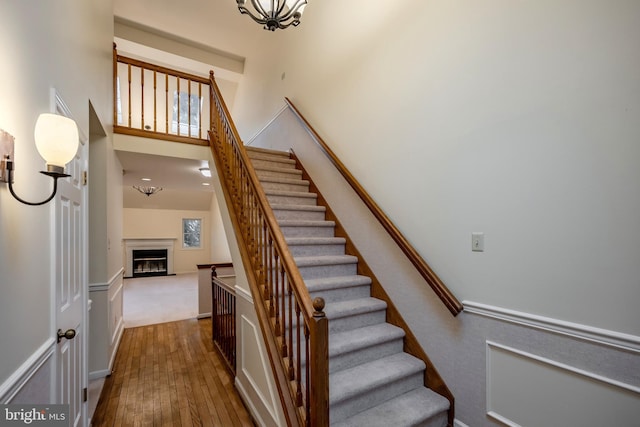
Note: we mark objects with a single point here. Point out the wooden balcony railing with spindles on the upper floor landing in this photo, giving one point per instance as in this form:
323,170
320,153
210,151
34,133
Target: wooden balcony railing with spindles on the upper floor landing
157,102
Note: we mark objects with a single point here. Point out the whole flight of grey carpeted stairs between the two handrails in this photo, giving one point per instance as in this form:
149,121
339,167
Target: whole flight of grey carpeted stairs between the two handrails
372,382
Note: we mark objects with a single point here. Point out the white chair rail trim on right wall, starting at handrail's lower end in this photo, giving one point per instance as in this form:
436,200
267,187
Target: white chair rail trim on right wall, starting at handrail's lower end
574,330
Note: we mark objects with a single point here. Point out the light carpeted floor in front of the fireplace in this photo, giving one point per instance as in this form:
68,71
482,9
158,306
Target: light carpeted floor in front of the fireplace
151,300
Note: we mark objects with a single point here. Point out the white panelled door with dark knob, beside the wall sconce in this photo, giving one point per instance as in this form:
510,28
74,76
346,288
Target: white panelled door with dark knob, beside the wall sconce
70,258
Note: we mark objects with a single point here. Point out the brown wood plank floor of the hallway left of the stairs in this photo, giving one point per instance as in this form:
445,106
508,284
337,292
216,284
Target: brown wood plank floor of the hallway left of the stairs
170,375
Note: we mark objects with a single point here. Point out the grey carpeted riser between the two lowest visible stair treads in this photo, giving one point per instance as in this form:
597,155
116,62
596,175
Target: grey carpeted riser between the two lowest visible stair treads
371,398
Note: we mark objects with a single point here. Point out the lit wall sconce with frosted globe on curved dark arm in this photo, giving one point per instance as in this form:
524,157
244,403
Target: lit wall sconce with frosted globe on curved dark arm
57,142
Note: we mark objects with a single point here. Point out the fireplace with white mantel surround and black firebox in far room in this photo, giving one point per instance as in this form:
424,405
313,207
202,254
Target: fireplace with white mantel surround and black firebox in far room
148,257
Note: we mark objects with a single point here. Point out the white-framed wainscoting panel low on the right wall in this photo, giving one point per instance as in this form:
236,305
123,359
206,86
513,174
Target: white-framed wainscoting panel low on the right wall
524,389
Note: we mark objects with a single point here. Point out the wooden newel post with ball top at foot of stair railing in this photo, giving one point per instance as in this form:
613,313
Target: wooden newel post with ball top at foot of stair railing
319,411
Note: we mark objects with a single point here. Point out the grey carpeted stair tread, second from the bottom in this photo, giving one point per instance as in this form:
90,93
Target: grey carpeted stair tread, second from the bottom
351,382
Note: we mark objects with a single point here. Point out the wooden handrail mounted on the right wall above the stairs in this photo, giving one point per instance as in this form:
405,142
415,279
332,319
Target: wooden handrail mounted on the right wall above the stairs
445,295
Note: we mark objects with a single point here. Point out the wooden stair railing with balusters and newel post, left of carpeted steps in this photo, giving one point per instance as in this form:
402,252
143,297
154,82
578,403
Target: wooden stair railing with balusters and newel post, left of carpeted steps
294,327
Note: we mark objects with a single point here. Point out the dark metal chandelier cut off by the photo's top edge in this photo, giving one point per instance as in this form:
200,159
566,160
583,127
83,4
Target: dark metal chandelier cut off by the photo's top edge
274,14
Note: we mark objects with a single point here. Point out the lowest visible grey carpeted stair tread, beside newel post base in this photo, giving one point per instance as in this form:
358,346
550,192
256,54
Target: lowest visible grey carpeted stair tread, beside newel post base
408,409
